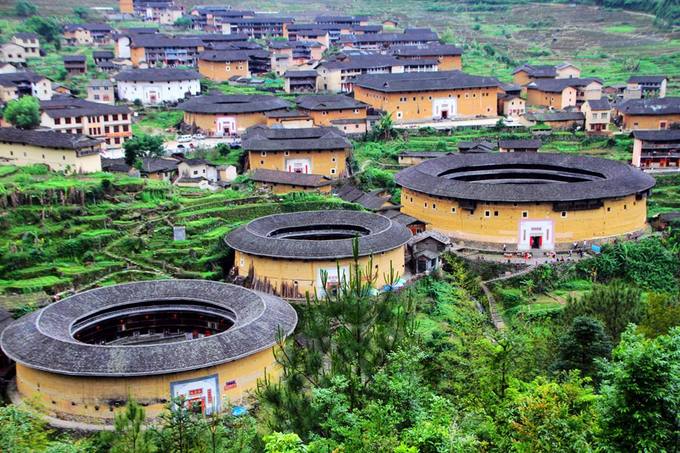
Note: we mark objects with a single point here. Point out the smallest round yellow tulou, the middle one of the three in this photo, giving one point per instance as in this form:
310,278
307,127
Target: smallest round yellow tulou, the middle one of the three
286,253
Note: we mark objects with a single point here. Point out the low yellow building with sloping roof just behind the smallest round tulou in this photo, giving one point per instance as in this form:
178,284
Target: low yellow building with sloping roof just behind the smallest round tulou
282,182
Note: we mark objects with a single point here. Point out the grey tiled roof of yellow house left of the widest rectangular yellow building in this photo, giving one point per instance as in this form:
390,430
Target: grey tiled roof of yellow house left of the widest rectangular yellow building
232,103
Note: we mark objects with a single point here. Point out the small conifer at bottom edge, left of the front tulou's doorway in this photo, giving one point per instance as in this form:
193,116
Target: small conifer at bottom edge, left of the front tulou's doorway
130,435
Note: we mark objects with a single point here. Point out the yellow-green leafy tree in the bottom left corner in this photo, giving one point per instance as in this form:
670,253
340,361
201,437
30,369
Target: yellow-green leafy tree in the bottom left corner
21,431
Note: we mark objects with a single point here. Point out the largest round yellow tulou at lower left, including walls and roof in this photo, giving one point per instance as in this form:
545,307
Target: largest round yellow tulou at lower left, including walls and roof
152,340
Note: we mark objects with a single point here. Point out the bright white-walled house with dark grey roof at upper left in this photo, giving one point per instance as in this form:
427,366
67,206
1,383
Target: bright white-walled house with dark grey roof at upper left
157,85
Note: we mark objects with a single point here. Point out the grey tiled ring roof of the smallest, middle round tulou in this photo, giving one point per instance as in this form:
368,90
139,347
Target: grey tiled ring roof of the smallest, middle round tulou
257,238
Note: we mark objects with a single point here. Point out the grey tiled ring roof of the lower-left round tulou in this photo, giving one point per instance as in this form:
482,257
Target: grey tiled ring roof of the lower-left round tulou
43,339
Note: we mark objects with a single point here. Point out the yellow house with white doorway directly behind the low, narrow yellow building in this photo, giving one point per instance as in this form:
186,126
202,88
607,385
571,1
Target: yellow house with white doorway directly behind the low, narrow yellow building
315,150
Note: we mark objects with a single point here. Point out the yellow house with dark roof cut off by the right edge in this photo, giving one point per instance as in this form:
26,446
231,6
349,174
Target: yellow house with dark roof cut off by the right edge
650,113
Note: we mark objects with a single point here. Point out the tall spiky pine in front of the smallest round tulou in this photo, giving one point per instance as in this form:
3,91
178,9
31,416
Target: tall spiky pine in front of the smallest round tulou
349,334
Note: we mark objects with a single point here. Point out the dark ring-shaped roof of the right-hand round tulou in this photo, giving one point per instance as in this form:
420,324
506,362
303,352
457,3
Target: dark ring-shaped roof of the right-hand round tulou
598,178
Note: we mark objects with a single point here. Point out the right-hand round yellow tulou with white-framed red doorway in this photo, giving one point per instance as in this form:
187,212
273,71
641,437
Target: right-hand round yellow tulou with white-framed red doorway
526,199
